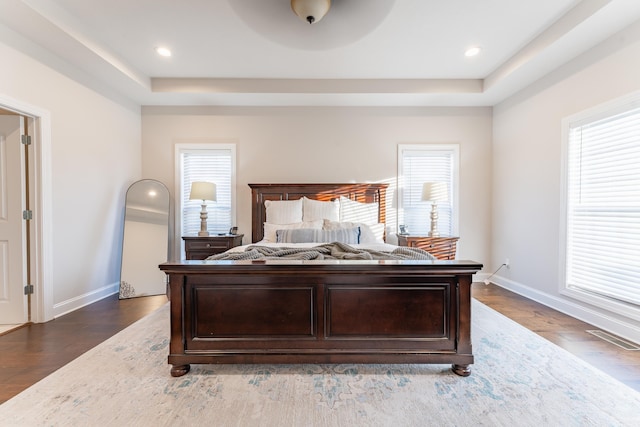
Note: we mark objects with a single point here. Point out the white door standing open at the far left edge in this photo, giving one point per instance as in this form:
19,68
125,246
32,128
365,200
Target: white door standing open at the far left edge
13,302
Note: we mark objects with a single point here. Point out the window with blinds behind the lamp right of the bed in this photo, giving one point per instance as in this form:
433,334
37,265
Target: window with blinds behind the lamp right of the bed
422,163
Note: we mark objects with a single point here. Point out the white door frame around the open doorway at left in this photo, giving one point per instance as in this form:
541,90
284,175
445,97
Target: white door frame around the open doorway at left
39,122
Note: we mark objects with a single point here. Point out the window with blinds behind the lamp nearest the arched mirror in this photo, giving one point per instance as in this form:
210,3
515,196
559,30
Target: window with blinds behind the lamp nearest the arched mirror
205,162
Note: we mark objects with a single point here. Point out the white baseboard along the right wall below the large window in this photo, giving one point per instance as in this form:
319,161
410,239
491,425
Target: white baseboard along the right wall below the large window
594,317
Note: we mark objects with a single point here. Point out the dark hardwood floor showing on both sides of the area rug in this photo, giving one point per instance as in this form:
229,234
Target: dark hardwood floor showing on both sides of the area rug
34,351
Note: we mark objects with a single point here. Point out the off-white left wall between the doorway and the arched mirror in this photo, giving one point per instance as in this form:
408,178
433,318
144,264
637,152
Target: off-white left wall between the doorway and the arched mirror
95,155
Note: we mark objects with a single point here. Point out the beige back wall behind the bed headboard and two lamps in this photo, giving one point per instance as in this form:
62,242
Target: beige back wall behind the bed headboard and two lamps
306,145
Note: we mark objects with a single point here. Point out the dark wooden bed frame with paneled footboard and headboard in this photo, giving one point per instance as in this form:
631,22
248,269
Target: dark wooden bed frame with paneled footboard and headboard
286,311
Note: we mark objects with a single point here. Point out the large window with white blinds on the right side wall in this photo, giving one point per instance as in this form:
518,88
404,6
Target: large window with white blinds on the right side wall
602,205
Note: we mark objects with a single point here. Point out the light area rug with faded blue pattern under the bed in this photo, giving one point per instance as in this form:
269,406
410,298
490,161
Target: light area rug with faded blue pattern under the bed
518,379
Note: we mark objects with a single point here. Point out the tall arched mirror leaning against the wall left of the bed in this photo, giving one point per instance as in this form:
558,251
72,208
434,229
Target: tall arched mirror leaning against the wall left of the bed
145,242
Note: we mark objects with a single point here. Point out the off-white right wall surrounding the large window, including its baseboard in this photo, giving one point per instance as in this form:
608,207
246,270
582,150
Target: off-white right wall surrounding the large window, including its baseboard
527,171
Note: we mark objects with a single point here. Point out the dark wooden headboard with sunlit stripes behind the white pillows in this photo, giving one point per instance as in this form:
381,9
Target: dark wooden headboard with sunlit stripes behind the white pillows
364,193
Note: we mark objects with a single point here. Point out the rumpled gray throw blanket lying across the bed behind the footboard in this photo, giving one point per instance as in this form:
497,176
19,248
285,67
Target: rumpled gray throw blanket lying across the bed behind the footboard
333,250
